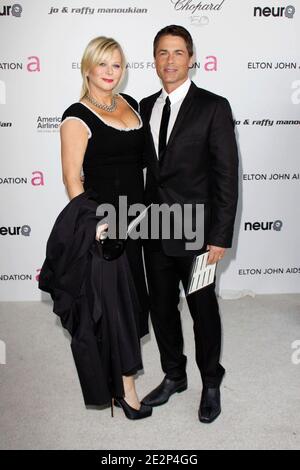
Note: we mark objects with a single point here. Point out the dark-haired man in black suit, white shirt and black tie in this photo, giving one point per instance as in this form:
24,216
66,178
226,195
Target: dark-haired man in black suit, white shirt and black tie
191,158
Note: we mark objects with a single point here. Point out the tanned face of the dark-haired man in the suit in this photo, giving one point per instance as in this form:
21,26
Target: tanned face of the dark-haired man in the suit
172,61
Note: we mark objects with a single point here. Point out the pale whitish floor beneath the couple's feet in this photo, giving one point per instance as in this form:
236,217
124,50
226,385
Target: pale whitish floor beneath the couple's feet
41,405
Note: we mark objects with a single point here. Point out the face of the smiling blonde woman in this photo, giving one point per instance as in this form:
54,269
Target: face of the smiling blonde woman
106,75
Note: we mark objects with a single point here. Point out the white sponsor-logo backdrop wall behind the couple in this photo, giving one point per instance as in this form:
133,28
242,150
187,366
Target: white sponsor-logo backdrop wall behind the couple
245,50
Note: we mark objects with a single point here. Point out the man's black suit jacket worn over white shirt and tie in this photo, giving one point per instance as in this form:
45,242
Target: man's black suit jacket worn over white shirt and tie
200,165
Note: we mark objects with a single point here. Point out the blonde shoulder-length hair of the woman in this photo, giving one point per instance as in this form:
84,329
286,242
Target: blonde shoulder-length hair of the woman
92,56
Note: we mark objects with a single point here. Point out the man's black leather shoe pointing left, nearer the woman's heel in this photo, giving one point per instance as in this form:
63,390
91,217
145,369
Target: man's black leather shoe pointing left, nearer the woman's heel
162,393
